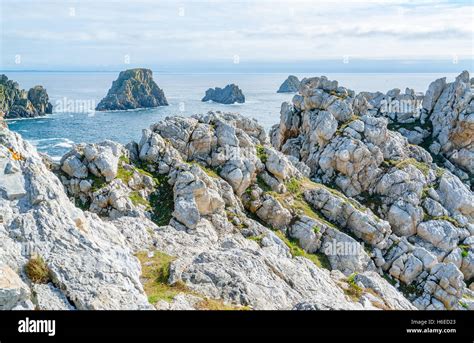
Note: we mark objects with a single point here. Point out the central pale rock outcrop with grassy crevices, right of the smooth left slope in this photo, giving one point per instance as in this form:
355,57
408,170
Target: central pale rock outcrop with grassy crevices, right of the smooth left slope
207,172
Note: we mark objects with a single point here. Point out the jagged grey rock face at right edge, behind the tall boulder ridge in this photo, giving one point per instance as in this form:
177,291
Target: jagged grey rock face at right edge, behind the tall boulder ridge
440,121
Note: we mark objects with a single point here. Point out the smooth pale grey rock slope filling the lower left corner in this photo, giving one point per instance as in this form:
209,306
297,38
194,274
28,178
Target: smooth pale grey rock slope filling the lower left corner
88,259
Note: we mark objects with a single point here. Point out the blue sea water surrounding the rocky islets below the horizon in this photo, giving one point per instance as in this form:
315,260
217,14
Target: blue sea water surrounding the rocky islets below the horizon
74,95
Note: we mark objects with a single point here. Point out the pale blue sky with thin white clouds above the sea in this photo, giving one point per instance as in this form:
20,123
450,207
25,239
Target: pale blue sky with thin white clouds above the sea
236,35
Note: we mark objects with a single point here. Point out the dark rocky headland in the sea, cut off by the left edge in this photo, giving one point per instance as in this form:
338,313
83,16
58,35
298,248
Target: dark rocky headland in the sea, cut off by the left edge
18,103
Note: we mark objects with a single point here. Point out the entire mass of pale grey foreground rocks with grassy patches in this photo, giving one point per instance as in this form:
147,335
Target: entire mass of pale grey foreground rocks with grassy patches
344,205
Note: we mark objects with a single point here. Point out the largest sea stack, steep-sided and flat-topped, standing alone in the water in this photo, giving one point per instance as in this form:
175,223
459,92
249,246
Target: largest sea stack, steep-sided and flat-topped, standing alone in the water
133,89
